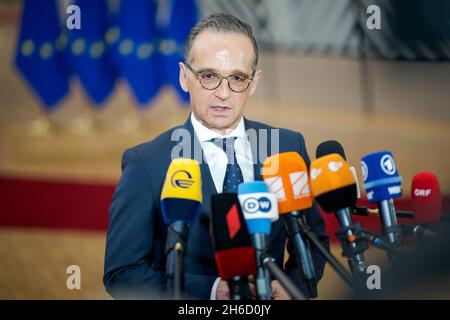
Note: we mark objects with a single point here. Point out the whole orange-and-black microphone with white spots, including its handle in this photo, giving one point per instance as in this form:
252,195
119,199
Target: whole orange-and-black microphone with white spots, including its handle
334,188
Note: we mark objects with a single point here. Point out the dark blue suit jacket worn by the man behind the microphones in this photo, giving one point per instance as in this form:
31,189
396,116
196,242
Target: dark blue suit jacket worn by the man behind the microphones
135,259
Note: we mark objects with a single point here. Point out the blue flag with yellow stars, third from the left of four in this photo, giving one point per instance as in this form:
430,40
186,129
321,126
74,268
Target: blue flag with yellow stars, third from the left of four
135,48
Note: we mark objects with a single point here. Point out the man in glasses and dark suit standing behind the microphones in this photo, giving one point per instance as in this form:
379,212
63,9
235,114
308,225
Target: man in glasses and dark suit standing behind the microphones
220,74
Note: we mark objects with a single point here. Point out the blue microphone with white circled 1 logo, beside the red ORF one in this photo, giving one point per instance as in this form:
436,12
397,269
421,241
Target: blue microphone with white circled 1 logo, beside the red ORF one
382,184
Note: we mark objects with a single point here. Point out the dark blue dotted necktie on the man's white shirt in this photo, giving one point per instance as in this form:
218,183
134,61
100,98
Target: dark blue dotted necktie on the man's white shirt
233,173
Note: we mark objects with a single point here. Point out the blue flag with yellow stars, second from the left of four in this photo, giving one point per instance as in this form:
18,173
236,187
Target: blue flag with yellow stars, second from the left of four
88,54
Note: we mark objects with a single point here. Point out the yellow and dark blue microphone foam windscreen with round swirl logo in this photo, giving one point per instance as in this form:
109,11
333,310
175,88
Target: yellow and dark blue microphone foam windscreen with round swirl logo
181,195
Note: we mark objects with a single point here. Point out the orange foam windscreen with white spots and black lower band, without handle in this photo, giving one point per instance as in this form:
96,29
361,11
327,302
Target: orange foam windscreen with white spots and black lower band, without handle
333,183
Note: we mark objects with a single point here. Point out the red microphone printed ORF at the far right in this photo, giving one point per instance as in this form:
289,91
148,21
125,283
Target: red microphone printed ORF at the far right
427,204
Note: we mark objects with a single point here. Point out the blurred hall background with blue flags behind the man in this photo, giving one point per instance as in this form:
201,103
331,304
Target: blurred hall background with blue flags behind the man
71,101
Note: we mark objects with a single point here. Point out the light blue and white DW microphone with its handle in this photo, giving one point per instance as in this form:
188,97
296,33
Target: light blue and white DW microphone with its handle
260,209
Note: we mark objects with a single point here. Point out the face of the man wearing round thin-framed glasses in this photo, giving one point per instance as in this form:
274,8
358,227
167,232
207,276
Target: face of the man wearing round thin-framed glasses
224,54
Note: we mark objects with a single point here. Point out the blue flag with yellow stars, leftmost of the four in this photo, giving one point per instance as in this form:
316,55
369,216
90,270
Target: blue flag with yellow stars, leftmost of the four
39,55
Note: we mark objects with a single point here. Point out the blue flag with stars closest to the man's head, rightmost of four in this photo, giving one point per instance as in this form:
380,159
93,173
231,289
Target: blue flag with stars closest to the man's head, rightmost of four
175,20
